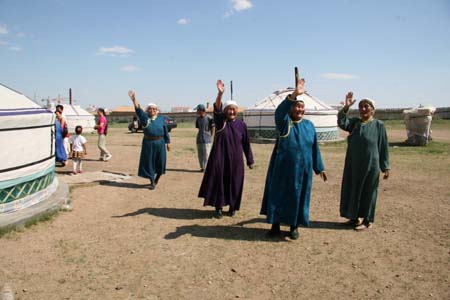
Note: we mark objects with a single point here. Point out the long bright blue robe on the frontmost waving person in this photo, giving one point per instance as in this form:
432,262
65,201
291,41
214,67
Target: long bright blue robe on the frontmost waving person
296,155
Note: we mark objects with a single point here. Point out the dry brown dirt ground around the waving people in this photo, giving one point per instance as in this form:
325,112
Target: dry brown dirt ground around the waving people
123,241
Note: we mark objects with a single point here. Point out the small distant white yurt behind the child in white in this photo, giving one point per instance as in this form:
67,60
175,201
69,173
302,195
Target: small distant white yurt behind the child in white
75,115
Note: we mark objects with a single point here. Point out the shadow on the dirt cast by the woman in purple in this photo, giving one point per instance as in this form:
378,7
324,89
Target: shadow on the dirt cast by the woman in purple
171,213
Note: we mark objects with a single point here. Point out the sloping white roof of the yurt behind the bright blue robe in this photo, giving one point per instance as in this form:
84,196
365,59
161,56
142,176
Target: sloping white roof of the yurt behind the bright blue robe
271,102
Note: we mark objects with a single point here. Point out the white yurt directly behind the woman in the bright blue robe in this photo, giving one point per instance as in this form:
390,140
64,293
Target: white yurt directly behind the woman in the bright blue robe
260,118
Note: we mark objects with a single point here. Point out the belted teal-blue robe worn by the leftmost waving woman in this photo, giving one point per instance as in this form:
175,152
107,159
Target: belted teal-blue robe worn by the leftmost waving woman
153,152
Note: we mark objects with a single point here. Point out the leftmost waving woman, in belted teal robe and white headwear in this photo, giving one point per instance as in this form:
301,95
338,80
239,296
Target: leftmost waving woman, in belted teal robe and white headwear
152,164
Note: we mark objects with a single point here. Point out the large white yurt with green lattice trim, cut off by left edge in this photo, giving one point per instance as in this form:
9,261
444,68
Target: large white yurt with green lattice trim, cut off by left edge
27,164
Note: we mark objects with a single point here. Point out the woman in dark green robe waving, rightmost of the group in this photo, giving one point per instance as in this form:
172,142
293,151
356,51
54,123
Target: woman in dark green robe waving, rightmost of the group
367,154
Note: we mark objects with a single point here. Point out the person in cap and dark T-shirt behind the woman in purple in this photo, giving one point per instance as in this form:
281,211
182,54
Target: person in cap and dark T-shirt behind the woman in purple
206,128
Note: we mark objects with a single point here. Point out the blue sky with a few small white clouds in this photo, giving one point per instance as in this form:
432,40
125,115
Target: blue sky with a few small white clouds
171,52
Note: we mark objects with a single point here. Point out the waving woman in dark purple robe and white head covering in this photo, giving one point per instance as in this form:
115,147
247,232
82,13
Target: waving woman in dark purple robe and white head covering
223,180
